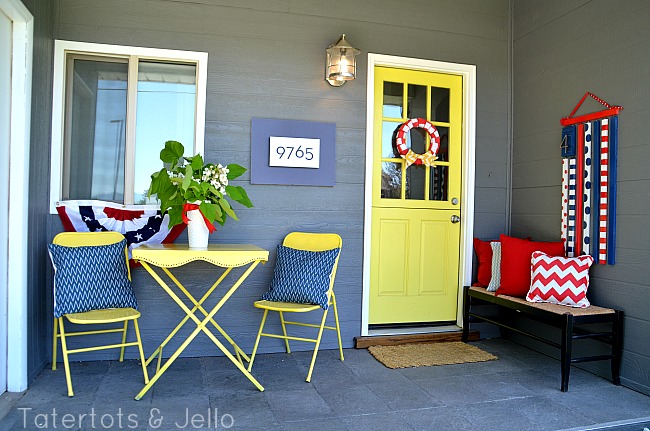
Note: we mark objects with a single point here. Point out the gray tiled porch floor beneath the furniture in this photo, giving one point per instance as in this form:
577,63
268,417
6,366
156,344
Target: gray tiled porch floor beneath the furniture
519,391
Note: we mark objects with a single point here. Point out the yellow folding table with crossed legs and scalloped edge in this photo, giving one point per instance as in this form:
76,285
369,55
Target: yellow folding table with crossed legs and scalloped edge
228,256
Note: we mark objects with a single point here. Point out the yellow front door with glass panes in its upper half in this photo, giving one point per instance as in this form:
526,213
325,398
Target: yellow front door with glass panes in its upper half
415,232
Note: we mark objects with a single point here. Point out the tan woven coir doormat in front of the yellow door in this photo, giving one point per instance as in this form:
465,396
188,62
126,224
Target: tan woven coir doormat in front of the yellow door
427,354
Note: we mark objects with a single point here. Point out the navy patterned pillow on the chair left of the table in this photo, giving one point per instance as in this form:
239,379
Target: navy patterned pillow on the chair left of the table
90,278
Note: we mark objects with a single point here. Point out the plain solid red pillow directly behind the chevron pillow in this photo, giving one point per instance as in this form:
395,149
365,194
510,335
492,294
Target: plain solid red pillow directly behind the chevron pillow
516,263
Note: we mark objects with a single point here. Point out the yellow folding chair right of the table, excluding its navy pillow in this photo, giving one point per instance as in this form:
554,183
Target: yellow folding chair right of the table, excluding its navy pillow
312,242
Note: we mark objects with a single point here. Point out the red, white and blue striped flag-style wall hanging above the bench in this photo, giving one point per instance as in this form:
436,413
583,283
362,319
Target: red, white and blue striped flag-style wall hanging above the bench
589,146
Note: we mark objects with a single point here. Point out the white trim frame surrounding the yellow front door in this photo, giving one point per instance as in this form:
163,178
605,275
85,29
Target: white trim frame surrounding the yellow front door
468,72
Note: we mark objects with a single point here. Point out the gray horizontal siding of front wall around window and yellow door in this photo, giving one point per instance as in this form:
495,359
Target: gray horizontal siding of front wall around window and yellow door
266,60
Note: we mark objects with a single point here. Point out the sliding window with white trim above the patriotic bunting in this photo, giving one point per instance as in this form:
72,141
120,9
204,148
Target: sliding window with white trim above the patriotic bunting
113,109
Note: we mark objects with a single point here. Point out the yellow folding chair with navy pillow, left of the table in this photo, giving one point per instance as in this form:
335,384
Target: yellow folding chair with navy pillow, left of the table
77,281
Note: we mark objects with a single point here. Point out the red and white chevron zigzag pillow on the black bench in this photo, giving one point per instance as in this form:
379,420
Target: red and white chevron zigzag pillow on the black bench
559,280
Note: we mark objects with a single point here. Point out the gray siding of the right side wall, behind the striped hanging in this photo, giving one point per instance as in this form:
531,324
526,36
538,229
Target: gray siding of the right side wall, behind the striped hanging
561,50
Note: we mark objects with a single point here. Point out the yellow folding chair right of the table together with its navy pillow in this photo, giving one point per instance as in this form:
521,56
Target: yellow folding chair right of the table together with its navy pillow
303,281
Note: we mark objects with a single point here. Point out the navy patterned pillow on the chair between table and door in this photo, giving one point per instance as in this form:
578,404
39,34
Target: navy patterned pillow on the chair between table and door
302,276
